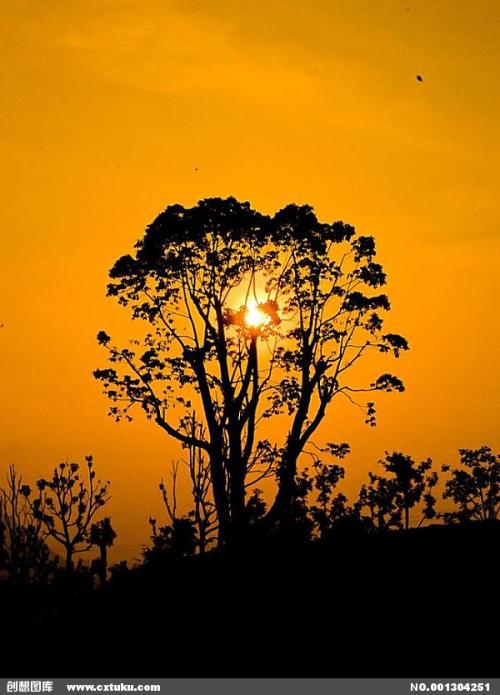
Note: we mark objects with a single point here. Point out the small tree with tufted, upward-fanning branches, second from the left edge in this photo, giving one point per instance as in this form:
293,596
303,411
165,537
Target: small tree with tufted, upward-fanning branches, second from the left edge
67,504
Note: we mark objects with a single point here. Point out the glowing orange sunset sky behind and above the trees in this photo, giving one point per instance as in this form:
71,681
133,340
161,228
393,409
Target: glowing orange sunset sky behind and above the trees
112,109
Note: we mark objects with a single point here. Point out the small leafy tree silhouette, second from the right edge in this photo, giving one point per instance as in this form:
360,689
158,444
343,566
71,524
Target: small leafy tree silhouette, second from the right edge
390,501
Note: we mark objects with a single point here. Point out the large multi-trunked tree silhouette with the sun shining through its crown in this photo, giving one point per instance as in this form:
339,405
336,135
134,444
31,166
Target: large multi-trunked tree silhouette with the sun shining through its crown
249,317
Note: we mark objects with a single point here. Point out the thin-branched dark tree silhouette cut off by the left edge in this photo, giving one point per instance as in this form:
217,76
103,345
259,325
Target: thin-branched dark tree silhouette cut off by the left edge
24,554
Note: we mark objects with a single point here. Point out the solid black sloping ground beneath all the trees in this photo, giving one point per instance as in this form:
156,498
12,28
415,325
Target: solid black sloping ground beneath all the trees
416,603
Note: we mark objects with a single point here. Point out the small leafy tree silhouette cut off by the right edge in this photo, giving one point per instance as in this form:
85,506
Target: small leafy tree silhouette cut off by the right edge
475,488
